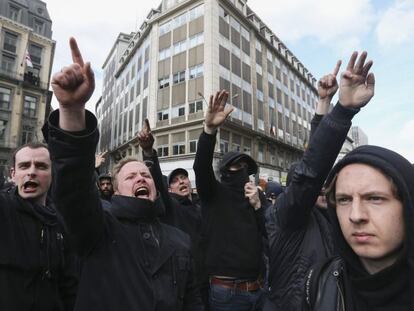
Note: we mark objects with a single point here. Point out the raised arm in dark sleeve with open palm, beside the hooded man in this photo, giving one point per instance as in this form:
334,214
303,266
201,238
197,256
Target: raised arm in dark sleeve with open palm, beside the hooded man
355,91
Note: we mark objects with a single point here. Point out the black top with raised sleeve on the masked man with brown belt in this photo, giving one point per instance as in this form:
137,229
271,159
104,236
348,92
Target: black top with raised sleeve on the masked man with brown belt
232,227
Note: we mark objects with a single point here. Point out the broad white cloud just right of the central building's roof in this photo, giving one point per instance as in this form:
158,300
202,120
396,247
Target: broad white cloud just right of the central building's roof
330,22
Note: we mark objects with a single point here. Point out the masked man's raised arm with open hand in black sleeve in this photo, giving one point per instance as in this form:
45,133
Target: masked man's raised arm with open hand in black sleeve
217,113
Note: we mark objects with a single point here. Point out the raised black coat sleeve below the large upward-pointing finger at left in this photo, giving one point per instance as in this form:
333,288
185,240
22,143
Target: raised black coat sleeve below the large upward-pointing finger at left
73,188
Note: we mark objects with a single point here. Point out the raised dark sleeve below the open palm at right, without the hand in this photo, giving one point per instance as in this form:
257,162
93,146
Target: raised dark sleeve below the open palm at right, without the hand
293,207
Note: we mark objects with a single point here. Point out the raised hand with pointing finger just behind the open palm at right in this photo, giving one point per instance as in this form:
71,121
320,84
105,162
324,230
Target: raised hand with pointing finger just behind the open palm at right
327,87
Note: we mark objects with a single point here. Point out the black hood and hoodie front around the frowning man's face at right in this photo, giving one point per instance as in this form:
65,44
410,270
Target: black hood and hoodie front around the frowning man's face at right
391,288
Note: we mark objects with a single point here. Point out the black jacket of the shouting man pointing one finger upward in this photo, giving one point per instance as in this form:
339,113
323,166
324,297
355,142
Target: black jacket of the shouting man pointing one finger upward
130,261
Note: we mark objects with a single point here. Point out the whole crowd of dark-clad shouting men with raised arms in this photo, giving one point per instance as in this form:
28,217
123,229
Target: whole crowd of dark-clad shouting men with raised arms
337,237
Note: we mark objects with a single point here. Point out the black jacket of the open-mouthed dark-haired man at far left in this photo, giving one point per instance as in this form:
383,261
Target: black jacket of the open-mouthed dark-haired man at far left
37,270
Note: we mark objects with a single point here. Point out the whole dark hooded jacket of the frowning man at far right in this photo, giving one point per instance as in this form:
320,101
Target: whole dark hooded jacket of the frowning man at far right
352,287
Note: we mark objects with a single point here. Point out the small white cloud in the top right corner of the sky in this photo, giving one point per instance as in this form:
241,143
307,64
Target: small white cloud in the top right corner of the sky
396,25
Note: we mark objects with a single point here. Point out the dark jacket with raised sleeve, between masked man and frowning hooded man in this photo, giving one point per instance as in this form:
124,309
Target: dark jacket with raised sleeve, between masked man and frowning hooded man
299,234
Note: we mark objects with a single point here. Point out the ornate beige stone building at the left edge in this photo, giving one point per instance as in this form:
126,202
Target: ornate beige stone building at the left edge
27,52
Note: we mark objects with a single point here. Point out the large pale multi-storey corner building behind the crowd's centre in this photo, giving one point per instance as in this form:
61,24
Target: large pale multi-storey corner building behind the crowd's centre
183,52
